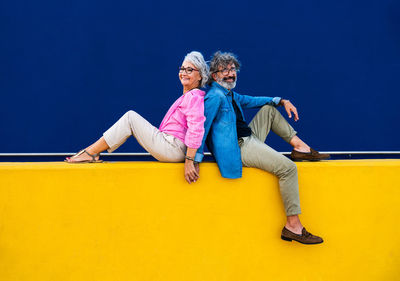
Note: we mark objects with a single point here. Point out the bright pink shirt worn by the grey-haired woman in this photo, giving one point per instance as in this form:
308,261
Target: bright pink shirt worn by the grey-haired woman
185,119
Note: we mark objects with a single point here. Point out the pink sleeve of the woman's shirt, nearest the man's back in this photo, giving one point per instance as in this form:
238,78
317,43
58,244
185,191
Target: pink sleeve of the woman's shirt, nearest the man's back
192,107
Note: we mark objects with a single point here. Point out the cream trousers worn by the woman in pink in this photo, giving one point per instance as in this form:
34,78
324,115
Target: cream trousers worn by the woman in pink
163,147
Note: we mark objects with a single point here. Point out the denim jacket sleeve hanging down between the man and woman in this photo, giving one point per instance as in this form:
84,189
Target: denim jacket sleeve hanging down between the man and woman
211,105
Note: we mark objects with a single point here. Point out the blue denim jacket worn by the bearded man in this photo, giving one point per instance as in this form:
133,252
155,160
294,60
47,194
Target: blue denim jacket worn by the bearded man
220,127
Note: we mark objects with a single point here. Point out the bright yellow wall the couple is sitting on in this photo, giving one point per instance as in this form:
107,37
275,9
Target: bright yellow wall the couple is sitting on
141,221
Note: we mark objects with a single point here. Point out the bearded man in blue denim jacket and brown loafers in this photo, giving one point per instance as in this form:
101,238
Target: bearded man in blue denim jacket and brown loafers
233,143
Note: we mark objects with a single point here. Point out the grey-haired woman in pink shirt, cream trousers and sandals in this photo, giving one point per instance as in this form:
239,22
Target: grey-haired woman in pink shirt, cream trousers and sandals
180,133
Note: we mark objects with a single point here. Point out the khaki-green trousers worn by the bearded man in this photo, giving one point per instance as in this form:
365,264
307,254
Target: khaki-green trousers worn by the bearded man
255,153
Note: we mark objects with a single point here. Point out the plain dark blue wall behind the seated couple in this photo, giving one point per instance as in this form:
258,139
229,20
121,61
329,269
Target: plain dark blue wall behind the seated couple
69,69
